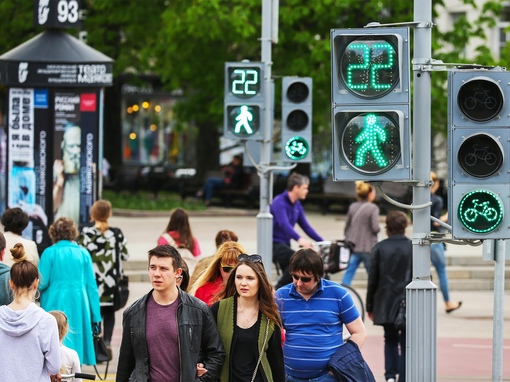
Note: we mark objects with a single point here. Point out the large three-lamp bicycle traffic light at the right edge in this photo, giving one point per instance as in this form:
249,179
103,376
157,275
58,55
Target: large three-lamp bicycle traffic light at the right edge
478,153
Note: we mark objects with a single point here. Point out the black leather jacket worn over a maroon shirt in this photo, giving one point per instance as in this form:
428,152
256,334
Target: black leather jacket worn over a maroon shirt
198,337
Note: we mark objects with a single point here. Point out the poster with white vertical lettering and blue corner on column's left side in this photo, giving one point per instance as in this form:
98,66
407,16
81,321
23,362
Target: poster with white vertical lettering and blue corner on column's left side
27,136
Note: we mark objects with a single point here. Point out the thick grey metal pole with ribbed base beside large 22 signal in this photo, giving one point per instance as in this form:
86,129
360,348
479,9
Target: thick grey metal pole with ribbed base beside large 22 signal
421,293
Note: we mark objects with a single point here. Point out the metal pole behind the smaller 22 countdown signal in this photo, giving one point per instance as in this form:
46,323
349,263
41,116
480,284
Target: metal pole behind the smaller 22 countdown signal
264,217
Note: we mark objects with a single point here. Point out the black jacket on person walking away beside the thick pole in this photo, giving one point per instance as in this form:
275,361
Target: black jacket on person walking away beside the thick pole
390,273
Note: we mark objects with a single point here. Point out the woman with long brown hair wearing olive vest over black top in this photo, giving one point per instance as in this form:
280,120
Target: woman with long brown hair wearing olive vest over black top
250,325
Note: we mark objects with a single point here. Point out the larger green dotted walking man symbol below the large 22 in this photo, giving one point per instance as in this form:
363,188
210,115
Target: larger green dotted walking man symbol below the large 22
371,138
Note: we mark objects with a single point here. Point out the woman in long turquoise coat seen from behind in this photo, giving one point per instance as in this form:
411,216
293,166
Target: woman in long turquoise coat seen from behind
67,283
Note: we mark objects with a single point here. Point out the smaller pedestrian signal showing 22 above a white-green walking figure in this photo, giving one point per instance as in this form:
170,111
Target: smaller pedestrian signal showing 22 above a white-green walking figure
244,100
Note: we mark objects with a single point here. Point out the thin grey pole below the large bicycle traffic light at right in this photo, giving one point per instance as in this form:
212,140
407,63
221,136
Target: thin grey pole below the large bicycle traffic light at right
499,310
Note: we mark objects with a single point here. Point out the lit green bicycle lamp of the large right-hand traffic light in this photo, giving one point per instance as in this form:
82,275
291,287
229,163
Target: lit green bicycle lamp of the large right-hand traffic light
481,211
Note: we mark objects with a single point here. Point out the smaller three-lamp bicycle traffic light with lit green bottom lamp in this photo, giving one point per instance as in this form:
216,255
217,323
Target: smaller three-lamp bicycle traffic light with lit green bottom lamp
297,119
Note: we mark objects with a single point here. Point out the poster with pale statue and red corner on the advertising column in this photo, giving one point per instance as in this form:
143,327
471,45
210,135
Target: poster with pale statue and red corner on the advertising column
75,160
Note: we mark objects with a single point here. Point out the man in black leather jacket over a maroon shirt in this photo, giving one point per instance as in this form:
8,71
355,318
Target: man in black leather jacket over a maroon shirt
169,335
